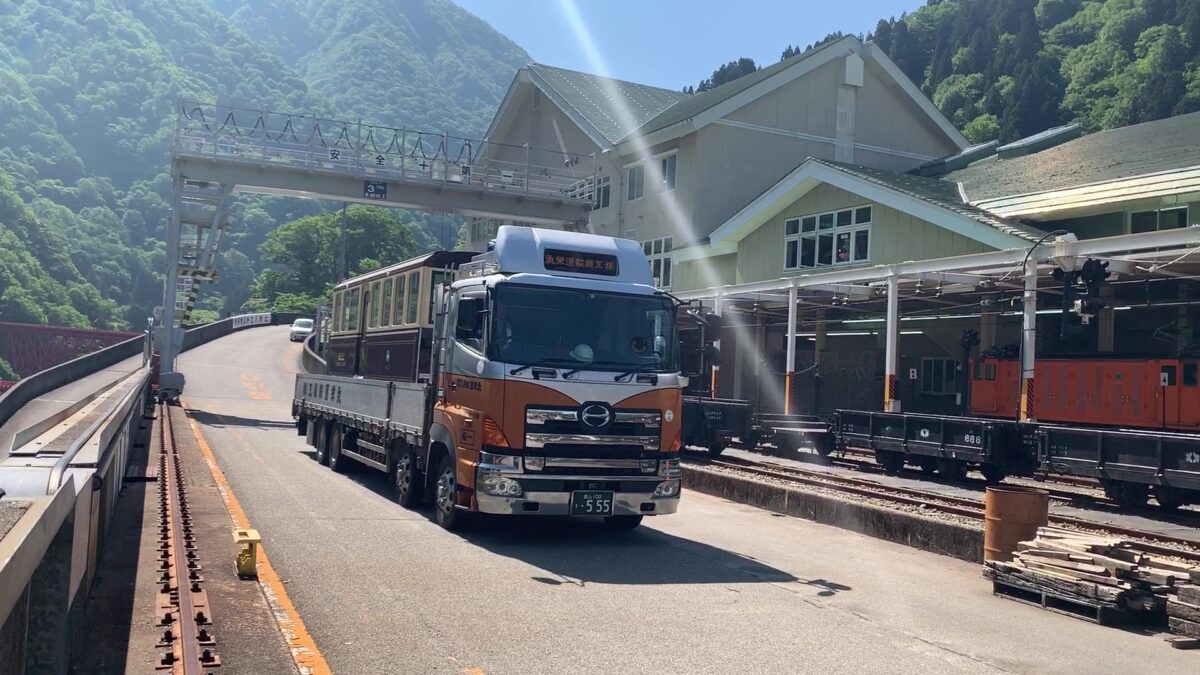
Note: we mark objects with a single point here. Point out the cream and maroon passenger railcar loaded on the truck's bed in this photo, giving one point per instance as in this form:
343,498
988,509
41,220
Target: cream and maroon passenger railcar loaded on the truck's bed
383,322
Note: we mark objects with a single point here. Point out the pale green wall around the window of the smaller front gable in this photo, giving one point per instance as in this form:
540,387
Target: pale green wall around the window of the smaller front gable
896,237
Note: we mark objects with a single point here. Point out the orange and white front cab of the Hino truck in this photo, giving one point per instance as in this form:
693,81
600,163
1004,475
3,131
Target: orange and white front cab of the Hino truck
557,386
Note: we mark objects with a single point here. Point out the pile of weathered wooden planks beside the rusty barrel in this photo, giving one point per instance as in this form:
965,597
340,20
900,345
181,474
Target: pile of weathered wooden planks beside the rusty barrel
1103,580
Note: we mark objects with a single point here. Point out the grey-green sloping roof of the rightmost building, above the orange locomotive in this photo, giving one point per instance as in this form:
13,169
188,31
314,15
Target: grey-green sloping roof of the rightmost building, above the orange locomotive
1141,150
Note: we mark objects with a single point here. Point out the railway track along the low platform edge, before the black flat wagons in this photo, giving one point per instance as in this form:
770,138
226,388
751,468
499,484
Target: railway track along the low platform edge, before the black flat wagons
965,507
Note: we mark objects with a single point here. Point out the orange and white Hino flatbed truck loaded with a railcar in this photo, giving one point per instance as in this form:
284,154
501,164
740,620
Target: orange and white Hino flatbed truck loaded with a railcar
554,383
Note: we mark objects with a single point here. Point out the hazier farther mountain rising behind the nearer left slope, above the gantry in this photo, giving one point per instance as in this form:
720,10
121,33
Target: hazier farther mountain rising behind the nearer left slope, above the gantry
423,64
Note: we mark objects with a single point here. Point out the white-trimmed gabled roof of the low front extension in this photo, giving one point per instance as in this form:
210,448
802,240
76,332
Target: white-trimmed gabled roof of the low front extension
931,200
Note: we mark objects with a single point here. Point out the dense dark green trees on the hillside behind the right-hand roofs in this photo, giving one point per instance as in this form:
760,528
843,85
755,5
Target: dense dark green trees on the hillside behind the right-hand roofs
1017,68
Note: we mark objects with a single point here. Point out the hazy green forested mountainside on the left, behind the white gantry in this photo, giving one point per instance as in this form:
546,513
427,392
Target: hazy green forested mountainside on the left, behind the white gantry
87,100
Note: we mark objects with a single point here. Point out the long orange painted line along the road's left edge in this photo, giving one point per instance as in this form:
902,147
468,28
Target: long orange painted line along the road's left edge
305,654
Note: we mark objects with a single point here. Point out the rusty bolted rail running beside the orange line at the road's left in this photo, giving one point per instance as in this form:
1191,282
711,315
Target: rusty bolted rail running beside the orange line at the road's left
183,610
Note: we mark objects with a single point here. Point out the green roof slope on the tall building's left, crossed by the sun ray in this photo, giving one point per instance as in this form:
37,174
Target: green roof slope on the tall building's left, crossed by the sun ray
614,107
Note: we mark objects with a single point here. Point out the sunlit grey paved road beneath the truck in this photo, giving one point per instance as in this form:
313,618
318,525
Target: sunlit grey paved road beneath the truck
718,588
